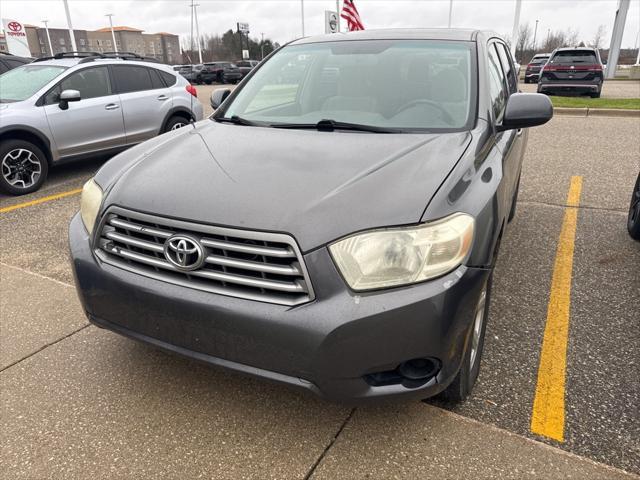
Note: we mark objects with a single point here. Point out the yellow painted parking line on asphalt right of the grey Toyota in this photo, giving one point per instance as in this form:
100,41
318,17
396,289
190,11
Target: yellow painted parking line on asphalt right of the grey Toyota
547,418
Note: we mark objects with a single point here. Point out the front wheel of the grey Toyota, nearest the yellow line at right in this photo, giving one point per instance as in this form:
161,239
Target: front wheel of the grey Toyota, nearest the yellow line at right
461,387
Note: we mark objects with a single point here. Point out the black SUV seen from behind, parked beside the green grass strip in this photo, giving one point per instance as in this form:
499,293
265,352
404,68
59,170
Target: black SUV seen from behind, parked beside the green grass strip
575,71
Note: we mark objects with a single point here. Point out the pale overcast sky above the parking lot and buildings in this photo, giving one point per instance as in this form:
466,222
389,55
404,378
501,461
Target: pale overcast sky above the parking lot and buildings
280,20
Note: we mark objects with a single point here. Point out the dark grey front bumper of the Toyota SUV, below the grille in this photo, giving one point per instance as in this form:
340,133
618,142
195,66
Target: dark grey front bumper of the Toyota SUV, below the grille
326,346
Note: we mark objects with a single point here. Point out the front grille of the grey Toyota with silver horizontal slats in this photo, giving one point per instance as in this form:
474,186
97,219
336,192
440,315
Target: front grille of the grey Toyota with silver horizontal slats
248,264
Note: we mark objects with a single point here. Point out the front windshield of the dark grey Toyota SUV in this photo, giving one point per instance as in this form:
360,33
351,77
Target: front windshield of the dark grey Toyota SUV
393,84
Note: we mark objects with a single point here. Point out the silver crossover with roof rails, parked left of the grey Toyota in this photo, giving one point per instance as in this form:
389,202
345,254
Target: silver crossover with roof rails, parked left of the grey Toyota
78,104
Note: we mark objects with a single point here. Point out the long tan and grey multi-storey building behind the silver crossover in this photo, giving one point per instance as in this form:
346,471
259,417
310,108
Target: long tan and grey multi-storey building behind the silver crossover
163,46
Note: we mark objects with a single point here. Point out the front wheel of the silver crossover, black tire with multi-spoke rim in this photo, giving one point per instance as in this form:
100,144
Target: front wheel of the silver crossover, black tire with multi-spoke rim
23,167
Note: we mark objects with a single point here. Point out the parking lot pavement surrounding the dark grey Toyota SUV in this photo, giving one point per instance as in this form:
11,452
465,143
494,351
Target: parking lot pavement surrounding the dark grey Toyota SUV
80,402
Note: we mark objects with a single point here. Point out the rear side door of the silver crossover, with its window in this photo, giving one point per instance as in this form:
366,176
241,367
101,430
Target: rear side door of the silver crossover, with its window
146,101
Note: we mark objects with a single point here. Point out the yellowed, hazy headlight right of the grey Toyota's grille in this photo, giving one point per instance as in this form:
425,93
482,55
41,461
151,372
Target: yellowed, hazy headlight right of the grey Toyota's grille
400,256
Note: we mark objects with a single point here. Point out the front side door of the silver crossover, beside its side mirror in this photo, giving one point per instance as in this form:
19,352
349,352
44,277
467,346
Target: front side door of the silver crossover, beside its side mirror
92,124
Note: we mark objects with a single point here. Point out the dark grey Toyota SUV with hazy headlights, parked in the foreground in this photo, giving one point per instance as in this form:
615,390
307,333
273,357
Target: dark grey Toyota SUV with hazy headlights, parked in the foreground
338,235
